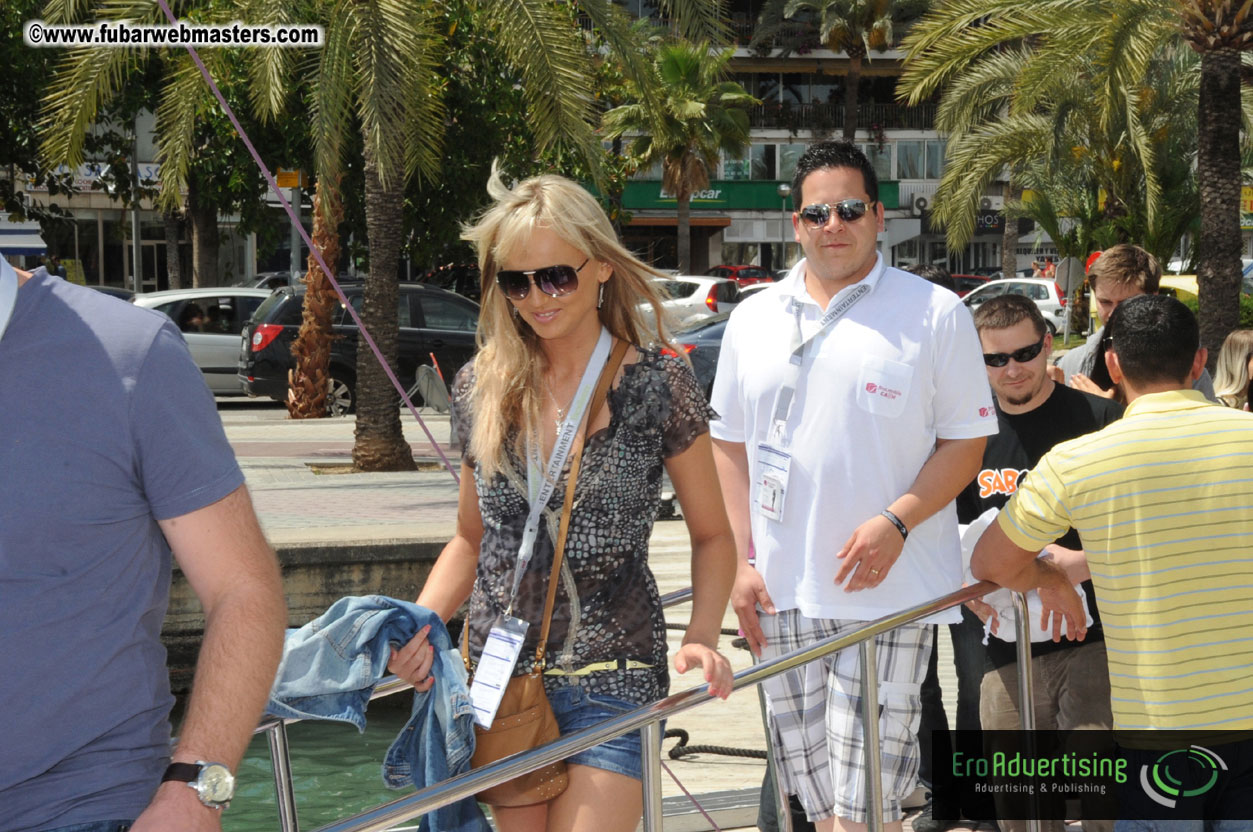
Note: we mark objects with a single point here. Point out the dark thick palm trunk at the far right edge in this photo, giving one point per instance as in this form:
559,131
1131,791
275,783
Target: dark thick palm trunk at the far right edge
1219,174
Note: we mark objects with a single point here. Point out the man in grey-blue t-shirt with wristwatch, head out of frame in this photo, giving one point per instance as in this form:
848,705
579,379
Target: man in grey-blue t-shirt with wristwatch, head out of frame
113,462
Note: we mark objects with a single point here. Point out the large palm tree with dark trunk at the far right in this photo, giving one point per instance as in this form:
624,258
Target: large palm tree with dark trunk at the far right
1115,46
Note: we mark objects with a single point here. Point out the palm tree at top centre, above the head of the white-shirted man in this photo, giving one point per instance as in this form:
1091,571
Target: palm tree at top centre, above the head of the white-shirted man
851,27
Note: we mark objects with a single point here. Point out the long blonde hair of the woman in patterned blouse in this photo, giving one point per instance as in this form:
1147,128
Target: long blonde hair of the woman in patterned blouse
509,368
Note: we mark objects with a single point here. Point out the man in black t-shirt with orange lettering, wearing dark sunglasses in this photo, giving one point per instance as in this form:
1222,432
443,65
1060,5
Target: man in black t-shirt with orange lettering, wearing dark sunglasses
1034,413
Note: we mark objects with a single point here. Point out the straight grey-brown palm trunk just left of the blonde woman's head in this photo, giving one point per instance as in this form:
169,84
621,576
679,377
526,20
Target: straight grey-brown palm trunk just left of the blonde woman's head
380,443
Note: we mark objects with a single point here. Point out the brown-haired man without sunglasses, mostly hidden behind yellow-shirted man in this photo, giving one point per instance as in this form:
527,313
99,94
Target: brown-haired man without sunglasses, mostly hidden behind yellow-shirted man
1120,274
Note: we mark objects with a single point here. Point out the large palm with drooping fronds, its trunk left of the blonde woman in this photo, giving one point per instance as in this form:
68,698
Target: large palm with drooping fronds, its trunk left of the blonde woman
379,71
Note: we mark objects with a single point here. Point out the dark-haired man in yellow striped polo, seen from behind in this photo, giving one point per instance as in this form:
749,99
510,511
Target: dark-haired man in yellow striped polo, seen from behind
1163,503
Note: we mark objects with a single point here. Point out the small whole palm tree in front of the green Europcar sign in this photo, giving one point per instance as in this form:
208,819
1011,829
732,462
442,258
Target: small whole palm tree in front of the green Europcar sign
699,117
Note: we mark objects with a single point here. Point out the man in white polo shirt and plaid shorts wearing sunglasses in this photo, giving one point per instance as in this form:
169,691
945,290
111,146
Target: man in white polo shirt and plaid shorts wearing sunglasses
854,409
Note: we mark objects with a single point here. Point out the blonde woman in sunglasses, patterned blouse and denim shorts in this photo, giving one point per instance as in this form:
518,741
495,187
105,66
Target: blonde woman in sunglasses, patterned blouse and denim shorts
554,276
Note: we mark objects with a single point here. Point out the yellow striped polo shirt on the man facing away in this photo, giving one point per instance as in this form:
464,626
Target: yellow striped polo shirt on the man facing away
1163,502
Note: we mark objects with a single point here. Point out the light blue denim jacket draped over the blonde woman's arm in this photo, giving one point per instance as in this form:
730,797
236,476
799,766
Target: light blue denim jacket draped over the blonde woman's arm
330,667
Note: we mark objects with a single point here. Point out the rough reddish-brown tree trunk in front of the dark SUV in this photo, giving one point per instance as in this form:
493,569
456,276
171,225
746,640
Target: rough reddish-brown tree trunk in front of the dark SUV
309,382
